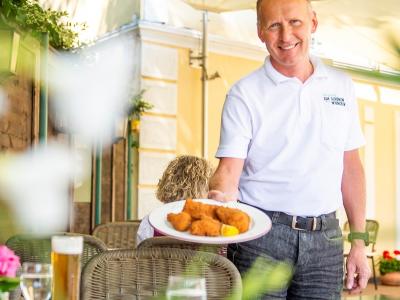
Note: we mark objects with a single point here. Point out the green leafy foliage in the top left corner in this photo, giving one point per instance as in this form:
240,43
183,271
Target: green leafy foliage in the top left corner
29,16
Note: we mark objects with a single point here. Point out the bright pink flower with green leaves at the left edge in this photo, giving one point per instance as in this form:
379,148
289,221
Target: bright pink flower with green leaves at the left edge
9,263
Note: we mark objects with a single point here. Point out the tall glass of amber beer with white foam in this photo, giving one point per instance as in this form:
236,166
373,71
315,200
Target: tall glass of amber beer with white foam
65,258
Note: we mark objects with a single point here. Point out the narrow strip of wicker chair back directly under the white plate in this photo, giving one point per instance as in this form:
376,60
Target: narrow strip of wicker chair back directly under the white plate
168,242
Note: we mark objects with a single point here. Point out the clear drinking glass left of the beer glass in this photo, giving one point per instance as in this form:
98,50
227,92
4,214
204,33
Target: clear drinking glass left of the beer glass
36,281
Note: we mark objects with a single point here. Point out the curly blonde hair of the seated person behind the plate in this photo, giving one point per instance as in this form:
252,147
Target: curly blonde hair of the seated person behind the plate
185,177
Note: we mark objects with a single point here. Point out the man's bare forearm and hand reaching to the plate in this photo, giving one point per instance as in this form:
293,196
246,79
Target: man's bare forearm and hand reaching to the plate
225,181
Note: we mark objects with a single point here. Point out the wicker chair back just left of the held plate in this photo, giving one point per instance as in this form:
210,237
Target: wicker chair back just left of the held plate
118,235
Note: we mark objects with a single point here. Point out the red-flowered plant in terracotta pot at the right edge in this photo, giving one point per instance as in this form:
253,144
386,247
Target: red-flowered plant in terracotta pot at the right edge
389,267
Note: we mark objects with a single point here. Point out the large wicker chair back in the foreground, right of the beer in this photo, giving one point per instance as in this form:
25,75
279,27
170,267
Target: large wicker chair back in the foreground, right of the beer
143,273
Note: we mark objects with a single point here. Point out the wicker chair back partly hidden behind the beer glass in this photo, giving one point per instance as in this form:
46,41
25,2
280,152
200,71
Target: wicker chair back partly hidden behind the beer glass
32,248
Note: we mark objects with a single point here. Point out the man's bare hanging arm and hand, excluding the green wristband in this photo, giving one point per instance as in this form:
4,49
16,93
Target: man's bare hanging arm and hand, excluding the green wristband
353,191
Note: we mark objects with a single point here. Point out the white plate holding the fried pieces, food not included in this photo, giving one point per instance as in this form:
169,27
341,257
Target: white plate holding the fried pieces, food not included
260,223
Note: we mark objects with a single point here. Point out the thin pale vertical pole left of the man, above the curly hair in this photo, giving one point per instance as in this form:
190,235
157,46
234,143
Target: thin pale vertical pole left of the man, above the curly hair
204,85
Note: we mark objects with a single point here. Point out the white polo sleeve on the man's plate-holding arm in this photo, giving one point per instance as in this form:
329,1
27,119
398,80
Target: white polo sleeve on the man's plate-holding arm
236,128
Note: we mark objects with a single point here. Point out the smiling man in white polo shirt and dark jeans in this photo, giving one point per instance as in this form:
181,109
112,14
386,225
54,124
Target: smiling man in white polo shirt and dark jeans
289,146
